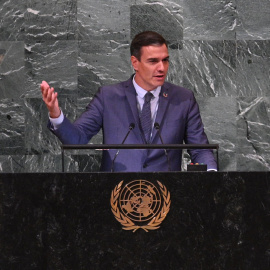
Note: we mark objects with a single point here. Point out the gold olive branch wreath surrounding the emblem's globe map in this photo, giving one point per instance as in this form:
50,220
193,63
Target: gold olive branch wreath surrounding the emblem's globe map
127,223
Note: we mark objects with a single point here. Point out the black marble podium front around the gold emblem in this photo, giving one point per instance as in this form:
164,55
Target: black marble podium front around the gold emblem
64,221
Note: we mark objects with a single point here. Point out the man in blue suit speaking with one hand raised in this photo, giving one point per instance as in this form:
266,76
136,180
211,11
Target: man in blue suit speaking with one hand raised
114,108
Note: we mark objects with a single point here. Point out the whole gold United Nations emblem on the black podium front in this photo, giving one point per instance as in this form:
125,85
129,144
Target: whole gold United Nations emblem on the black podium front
140,204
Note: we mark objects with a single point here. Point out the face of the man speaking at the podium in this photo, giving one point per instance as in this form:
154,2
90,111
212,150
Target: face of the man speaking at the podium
152,69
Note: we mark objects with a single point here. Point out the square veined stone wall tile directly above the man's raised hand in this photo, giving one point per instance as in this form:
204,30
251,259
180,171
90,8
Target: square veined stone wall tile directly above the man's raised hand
54,62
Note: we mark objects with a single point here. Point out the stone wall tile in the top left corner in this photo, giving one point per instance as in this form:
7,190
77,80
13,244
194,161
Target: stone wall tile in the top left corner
12,20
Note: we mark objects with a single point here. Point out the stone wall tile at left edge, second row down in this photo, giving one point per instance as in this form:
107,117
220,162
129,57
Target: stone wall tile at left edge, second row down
12,72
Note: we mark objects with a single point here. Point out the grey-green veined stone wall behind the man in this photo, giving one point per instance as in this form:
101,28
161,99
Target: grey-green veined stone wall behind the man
220,49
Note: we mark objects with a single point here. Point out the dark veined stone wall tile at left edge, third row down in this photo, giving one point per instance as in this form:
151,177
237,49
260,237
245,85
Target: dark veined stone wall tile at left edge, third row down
12,129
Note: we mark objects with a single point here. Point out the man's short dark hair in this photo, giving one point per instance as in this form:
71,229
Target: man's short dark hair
146,38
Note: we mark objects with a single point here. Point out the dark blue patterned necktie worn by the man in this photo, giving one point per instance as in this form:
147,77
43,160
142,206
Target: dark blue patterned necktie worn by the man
146,122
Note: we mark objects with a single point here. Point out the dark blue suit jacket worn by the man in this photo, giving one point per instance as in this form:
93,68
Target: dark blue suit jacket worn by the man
114,108
